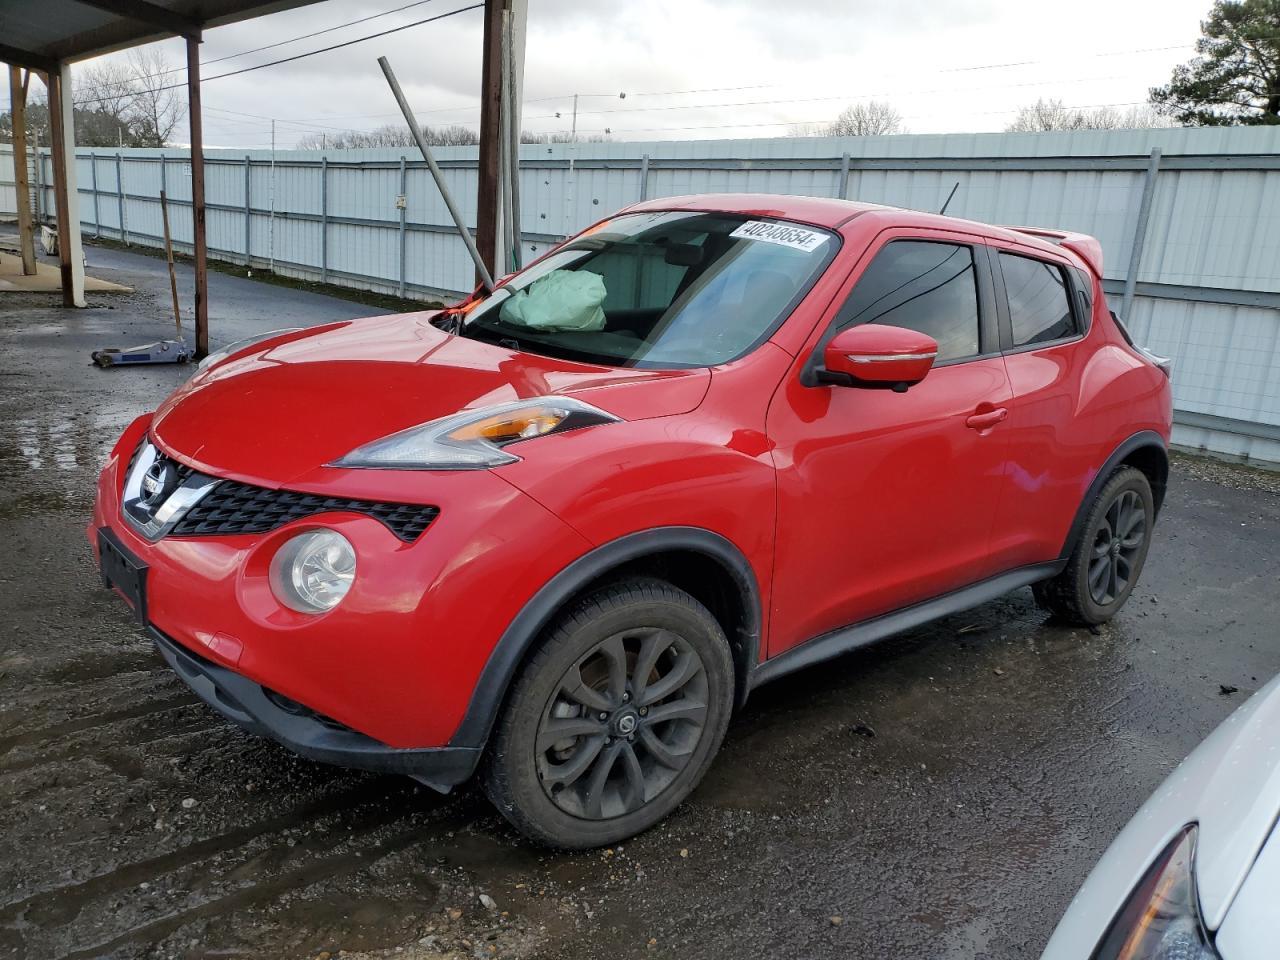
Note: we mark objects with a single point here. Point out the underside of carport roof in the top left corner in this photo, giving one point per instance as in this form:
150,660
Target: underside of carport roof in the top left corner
44,34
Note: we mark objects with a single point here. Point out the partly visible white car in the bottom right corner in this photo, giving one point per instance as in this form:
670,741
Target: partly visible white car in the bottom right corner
1196,874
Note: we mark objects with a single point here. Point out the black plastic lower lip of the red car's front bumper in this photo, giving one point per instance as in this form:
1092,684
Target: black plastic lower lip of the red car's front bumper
307,733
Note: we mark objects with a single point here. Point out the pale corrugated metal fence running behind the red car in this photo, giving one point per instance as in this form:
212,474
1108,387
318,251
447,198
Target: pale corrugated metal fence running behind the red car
1190,221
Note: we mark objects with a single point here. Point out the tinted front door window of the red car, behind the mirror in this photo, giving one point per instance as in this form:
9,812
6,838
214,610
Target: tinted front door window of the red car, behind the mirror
922,286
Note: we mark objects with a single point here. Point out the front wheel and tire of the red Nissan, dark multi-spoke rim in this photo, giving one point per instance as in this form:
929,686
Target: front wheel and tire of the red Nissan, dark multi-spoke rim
615,719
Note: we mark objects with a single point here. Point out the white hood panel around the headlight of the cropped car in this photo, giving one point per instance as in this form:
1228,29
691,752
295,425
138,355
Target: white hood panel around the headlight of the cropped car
1231,788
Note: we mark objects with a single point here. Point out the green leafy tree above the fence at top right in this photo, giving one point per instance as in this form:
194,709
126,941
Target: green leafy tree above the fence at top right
1236,76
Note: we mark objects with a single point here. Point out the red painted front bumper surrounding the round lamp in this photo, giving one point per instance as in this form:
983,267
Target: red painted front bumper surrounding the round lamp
400,659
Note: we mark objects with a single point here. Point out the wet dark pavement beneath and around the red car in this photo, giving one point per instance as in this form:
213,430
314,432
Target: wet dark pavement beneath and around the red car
940,796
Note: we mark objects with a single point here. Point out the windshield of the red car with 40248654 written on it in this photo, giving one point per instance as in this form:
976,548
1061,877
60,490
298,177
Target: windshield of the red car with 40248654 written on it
661,290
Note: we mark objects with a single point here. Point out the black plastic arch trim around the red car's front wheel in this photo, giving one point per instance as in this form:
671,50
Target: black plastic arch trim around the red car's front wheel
698,561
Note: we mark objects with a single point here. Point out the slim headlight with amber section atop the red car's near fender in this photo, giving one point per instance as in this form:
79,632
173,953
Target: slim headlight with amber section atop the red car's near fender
476,438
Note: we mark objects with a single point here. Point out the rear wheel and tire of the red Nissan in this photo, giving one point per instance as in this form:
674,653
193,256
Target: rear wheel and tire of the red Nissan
1109,556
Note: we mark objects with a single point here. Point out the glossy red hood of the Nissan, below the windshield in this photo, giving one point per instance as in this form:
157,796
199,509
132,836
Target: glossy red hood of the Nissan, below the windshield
292,405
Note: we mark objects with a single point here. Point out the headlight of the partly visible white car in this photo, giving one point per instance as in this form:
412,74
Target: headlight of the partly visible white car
1162,920
